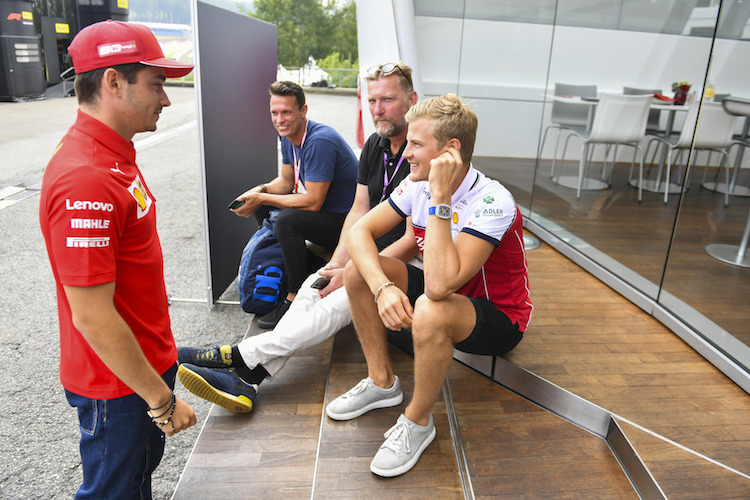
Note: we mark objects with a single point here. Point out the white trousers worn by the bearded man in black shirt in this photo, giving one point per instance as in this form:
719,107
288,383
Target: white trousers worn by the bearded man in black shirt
309,321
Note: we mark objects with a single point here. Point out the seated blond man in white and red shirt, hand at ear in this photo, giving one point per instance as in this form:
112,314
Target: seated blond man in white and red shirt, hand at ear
472,294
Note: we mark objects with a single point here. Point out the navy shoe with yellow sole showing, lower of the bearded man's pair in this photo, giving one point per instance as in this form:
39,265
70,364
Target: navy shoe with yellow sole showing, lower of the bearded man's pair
221,386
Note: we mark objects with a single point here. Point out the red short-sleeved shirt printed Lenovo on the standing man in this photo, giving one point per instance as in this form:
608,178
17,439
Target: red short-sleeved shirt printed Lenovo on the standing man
98,219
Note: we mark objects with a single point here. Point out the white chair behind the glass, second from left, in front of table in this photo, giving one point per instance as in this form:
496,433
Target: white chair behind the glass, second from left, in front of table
620,120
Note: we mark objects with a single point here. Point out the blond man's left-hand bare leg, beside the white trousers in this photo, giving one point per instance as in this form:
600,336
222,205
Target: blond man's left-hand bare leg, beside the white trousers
367,322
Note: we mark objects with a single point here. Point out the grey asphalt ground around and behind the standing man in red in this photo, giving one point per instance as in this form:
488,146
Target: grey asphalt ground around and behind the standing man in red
38,429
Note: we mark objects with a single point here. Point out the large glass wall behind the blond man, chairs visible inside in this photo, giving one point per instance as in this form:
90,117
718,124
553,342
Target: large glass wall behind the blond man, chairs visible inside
507,59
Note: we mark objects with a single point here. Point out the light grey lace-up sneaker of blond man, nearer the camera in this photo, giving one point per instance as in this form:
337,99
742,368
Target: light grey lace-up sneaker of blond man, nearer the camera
403,446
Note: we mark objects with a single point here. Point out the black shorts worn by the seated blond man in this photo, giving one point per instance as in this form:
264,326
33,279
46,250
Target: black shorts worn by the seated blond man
494,332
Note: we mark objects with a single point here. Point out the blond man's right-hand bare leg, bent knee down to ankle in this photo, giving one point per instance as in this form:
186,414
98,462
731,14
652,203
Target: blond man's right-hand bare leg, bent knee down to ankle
437,326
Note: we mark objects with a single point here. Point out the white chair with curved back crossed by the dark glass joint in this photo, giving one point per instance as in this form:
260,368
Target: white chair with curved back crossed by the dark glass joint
713,133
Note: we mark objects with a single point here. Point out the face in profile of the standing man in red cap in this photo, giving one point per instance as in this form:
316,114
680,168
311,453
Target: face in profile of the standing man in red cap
144,100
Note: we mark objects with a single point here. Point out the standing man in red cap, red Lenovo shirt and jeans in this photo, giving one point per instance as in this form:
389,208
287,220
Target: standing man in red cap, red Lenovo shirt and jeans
98,218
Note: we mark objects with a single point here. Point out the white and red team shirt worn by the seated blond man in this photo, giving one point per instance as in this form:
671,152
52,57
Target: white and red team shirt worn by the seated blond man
483,208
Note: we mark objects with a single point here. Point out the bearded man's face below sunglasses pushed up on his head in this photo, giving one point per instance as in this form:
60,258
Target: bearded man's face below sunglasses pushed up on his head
388,105
